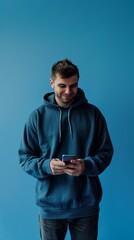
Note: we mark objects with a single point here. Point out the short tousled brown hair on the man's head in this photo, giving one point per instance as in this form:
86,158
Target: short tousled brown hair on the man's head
65,68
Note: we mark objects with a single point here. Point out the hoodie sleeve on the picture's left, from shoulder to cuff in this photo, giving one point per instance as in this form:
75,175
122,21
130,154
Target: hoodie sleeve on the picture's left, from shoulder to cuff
30,156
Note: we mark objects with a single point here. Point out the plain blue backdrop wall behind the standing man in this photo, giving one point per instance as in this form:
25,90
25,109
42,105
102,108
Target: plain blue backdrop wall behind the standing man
98,36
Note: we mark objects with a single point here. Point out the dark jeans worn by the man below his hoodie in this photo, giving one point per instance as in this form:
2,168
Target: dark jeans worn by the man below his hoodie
80,228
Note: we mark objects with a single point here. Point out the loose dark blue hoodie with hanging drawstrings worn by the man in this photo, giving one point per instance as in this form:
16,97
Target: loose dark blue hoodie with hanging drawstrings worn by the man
51,131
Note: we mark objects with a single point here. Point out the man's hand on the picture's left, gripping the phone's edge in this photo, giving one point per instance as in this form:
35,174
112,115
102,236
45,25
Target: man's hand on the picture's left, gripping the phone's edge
57,166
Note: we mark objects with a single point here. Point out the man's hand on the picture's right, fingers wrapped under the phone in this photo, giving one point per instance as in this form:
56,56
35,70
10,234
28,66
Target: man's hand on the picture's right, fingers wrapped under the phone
75,168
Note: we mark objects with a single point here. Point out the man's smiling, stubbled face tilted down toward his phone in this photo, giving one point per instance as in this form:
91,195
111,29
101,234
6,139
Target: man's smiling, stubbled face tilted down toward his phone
65,89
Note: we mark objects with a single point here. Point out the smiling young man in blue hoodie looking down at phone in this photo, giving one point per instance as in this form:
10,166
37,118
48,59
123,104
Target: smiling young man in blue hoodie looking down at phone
67,193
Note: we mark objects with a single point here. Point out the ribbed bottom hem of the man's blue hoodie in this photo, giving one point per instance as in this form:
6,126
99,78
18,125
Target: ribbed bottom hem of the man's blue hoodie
68,213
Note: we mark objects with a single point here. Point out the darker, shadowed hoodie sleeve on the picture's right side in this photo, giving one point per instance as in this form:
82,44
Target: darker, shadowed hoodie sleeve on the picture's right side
96,163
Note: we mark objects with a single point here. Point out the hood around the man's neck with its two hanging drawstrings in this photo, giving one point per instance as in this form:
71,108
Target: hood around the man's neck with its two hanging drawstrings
49,101
